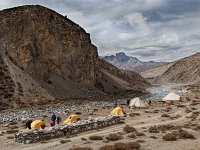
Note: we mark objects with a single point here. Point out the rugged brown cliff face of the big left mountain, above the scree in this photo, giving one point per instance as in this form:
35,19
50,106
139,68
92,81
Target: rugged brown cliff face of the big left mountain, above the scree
41,42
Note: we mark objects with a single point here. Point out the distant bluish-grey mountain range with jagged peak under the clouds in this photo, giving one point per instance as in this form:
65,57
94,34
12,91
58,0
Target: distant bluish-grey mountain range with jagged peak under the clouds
122,61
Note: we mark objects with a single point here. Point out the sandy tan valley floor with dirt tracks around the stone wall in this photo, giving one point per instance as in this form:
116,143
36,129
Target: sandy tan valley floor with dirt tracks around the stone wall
184,115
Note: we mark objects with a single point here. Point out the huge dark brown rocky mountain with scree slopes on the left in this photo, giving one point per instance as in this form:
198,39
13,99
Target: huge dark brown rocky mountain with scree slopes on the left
56,58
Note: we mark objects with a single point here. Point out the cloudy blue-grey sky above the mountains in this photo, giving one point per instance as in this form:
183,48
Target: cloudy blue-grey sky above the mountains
159,30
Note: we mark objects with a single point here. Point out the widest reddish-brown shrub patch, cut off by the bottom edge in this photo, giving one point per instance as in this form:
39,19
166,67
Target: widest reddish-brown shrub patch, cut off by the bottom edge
121,146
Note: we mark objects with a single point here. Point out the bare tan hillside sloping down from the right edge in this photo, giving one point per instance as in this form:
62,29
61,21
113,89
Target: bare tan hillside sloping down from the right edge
186,70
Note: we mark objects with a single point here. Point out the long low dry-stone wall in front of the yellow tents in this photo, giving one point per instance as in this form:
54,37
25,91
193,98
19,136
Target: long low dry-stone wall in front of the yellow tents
33,136
